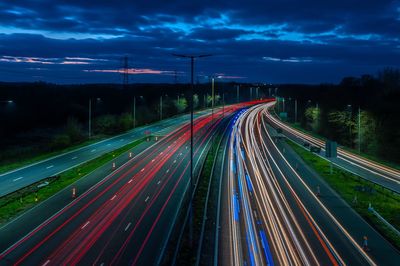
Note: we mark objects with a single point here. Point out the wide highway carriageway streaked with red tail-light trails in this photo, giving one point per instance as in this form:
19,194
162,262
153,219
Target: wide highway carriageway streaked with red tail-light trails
125,218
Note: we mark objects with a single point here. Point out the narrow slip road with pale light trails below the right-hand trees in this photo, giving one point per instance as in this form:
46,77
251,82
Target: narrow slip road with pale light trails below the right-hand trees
370,170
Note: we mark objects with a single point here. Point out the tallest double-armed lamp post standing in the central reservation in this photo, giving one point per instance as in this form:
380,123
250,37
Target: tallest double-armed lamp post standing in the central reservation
191,57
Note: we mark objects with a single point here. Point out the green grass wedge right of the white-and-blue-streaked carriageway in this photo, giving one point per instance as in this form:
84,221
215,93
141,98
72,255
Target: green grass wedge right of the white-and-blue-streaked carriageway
349,186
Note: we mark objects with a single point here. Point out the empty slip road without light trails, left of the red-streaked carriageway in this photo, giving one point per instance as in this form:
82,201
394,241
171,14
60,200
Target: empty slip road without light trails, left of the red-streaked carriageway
22,177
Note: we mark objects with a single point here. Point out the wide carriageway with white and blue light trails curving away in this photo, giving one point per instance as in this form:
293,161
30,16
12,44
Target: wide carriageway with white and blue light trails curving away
272,215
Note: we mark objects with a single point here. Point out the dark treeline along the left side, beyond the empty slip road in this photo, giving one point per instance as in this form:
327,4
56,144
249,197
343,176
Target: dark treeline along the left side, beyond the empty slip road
39,117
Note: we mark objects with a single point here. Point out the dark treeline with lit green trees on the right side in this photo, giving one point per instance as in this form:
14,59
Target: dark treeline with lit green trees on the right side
361,113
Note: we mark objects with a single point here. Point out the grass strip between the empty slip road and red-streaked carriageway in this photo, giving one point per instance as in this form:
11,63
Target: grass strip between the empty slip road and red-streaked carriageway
22,200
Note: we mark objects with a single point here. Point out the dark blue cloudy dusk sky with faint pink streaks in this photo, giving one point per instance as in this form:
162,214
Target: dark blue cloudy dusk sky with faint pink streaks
279,41
